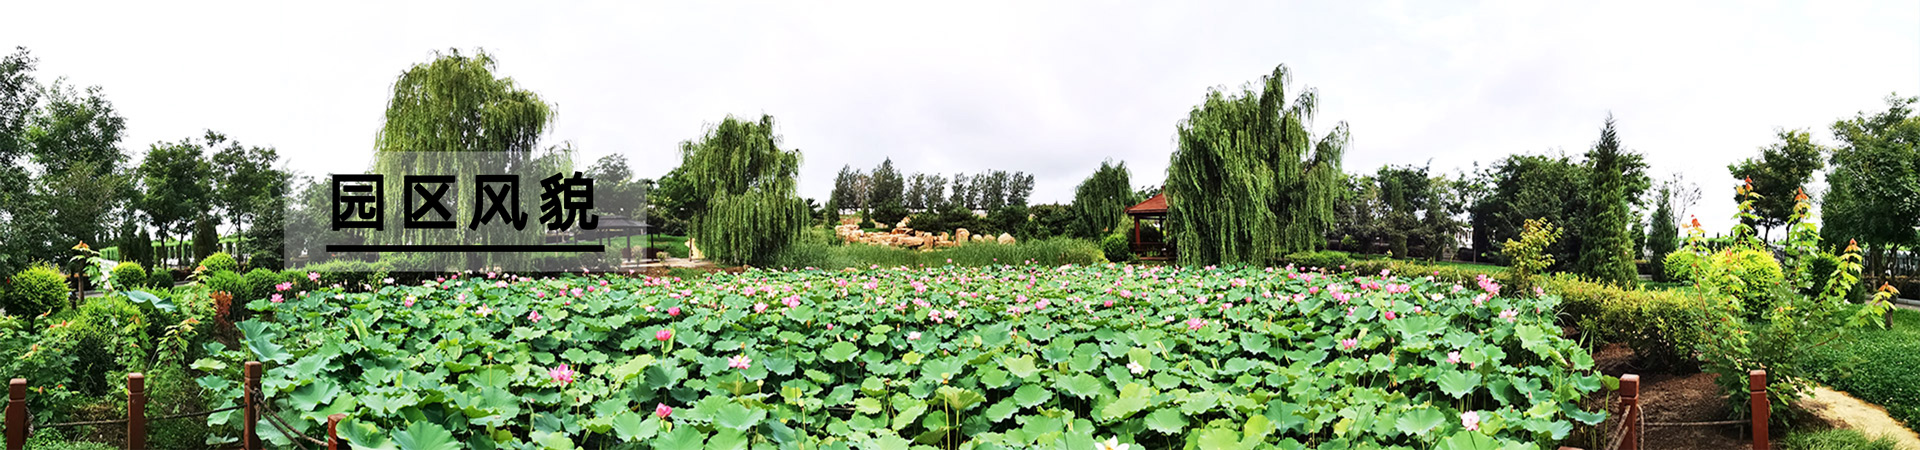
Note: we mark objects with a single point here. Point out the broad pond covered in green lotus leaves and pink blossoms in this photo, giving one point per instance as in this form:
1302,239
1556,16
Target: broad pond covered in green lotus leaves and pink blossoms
1009,357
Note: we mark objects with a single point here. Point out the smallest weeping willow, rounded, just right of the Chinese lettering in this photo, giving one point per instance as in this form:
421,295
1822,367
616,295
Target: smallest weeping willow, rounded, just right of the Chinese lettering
746,207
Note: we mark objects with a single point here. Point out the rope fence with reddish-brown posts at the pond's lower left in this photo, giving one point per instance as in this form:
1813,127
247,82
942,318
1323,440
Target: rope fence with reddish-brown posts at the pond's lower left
254,405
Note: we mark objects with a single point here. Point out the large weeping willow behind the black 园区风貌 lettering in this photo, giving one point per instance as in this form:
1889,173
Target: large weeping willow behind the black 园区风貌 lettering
452,116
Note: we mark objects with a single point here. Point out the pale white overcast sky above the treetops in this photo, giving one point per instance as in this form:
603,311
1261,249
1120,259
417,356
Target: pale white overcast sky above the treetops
1049,89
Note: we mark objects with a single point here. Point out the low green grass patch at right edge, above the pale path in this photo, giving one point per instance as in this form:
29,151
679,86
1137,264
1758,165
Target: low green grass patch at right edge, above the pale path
1877,366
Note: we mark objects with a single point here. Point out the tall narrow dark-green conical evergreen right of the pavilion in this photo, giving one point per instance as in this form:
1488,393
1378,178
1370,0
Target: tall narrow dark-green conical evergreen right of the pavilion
1606,253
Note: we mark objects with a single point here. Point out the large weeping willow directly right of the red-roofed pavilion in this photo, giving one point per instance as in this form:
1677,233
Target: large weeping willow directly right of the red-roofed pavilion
1249,182
